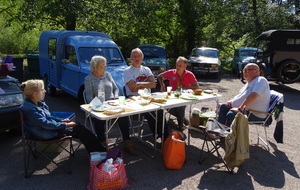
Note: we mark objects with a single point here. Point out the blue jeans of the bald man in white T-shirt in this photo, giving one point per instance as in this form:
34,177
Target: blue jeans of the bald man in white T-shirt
226,116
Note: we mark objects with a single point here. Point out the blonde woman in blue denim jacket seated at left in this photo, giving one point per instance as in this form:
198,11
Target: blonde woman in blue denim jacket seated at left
39,124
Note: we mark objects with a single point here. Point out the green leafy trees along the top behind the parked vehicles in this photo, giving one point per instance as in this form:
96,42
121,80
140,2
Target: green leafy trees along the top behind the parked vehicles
179,25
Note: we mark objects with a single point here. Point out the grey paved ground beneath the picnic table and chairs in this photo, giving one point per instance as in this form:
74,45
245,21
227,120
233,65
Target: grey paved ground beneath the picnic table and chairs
277,169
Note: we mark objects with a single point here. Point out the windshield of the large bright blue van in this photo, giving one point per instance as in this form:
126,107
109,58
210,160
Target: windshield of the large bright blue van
112,55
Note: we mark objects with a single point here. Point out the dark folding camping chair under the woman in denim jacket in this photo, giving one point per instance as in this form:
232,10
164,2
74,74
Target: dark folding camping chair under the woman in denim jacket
46,148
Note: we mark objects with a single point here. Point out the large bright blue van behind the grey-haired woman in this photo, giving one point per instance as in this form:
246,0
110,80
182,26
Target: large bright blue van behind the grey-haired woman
64,58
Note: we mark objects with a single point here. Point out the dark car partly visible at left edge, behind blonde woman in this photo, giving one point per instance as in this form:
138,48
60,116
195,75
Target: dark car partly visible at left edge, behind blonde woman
11,98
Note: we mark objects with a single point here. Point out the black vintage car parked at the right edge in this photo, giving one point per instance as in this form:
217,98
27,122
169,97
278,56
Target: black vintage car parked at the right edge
281,55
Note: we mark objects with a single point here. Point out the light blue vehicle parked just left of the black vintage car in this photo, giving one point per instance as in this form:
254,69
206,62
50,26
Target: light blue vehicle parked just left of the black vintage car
242,55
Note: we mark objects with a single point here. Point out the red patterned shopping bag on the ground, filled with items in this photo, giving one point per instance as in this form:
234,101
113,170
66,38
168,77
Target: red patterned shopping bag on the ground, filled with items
101,180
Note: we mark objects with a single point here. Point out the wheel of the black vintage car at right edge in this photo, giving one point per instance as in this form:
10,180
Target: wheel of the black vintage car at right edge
289,72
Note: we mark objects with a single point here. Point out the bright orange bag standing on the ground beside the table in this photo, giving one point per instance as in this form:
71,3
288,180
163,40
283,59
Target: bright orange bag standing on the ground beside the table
174,150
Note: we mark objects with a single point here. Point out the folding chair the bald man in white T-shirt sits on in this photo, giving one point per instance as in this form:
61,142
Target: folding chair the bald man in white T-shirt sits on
275,98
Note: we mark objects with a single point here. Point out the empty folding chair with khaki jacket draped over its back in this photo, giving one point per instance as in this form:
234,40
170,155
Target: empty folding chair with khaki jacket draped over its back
236,139
